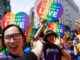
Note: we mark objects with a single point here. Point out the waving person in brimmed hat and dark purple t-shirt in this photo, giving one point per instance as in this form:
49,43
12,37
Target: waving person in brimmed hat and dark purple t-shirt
53,49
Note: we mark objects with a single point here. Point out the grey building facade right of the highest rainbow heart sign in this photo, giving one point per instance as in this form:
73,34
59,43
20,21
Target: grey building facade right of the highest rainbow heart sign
71,13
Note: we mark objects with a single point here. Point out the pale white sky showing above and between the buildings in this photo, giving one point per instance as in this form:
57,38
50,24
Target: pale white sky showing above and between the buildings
25,5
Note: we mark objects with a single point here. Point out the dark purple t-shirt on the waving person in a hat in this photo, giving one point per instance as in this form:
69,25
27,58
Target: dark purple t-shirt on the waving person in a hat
52,52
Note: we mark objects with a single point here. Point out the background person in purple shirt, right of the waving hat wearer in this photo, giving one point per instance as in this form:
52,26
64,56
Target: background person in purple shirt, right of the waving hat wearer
72,49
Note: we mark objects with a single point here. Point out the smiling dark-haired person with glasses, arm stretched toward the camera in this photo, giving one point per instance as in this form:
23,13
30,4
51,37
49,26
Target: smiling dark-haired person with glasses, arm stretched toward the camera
14,40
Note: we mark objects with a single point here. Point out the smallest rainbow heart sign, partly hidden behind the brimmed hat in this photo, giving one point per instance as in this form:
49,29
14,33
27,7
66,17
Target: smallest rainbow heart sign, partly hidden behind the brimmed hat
57,27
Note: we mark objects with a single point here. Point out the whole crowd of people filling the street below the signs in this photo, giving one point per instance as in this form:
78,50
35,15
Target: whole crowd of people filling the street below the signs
49,47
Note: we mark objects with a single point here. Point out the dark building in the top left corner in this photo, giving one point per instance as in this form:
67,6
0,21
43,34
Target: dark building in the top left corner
4,7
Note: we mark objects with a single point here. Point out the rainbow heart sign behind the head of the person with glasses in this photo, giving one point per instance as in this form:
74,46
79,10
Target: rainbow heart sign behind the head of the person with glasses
21,19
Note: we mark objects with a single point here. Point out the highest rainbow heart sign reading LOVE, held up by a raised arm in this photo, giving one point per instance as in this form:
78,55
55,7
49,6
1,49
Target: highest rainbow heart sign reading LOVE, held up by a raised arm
49,10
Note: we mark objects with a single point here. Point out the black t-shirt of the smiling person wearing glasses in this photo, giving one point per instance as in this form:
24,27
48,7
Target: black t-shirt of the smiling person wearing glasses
28,56
